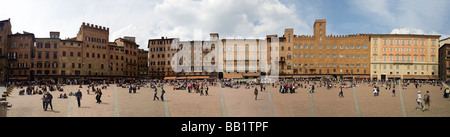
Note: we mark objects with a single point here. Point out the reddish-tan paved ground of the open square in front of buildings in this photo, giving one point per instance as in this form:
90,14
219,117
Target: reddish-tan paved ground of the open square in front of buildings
116,101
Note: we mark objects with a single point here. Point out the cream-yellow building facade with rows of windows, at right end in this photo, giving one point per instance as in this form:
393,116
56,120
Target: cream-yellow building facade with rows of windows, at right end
404,56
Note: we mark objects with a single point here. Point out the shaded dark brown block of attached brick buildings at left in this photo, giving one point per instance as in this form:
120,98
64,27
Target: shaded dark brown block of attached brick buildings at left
88,56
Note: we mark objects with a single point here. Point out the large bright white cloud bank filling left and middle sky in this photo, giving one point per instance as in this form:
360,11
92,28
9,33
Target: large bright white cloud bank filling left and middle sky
152,19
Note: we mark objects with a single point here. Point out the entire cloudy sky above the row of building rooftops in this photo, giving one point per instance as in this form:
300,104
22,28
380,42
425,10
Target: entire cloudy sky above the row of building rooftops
151,19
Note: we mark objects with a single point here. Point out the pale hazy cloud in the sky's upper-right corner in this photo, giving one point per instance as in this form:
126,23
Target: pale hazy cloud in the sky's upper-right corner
403,16
